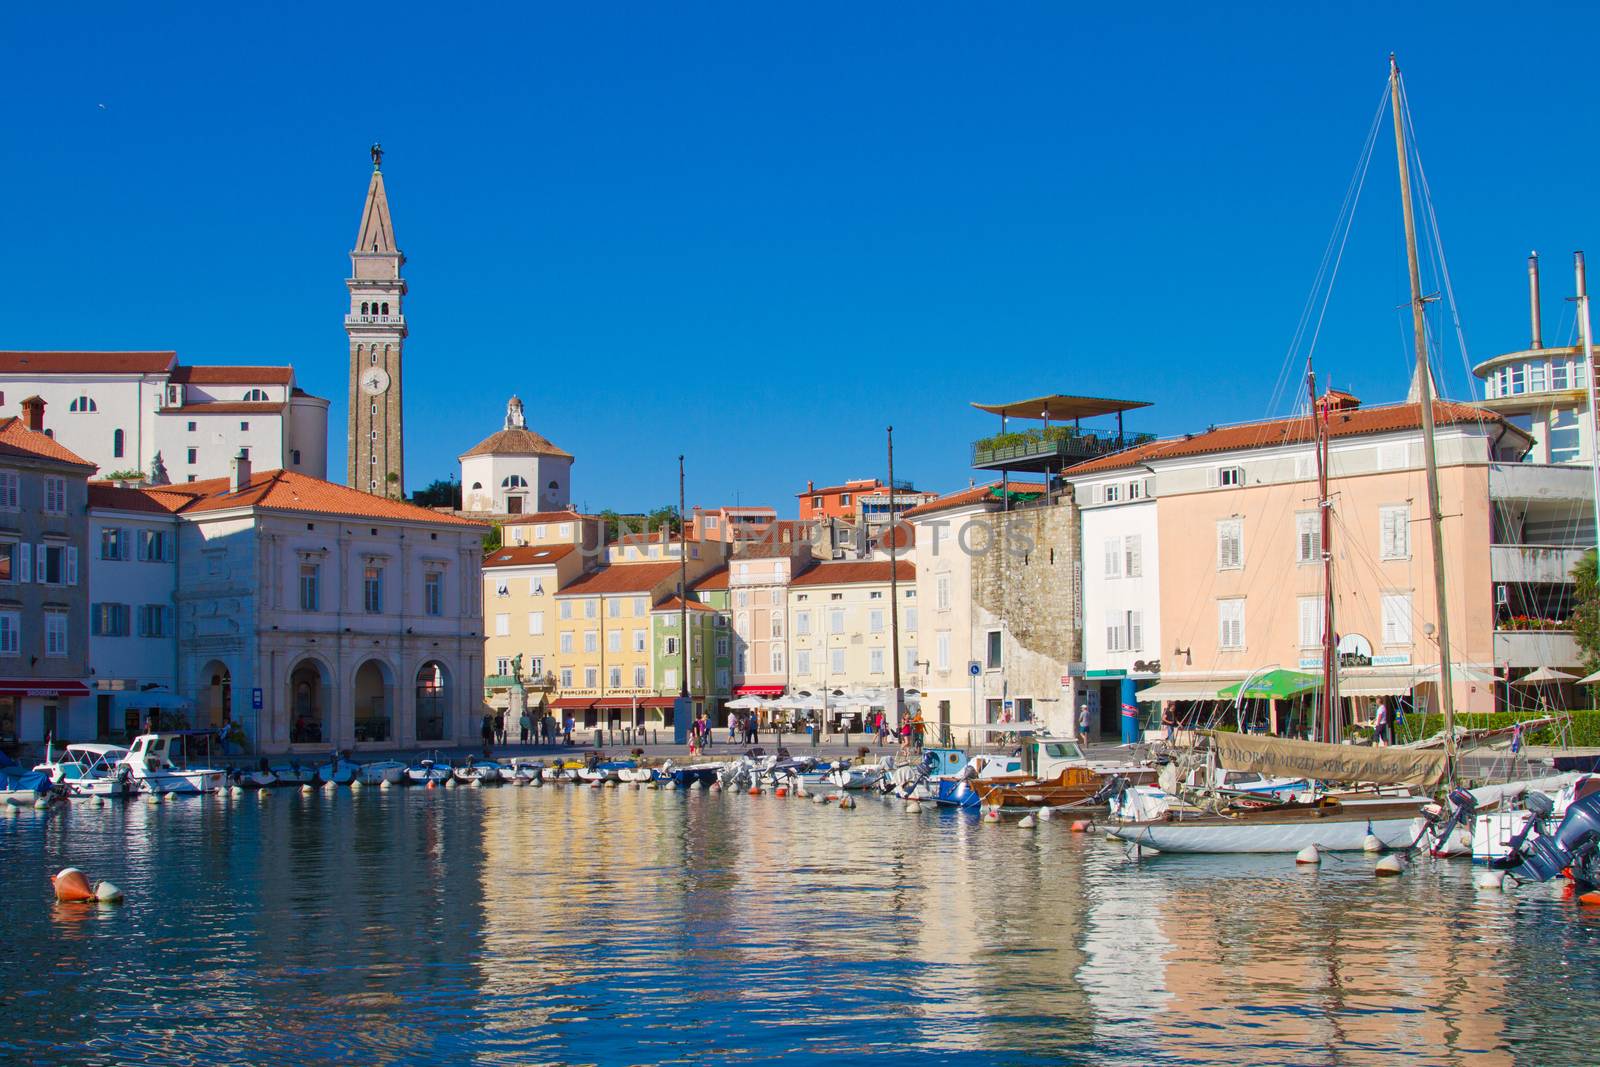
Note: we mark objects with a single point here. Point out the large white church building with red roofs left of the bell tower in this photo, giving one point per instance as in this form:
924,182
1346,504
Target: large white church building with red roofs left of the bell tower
119,410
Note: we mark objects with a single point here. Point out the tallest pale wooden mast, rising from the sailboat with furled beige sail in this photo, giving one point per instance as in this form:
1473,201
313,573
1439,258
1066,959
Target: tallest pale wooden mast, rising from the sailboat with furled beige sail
1425,394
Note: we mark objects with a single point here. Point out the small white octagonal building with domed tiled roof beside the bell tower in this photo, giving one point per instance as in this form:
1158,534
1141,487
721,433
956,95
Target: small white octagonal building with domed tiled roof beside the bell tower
516,471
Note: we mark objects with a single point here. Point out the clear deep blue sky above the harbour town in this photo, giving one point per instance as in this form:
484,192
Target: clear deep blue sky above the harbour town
759,234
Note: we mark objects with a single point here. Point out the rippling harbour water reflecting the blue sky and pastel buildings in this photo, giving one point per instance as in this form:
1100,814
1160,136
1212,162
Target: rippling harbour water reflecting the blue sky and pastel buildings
625,927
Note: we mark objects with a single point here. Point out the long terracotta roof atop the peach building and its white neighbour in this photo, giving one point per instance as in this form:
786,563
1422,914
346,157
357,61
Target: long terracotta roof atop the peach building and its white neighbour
1273,433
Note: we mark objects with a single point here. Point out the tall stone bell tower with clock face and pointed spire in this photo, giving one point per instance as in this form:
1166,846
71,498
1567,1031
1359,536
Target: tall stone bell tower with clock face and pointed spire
377,329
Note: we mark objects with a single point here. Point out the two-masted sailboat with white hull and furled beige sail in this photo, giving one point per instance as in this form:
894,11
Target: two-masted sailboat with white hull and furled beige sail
1346,821
